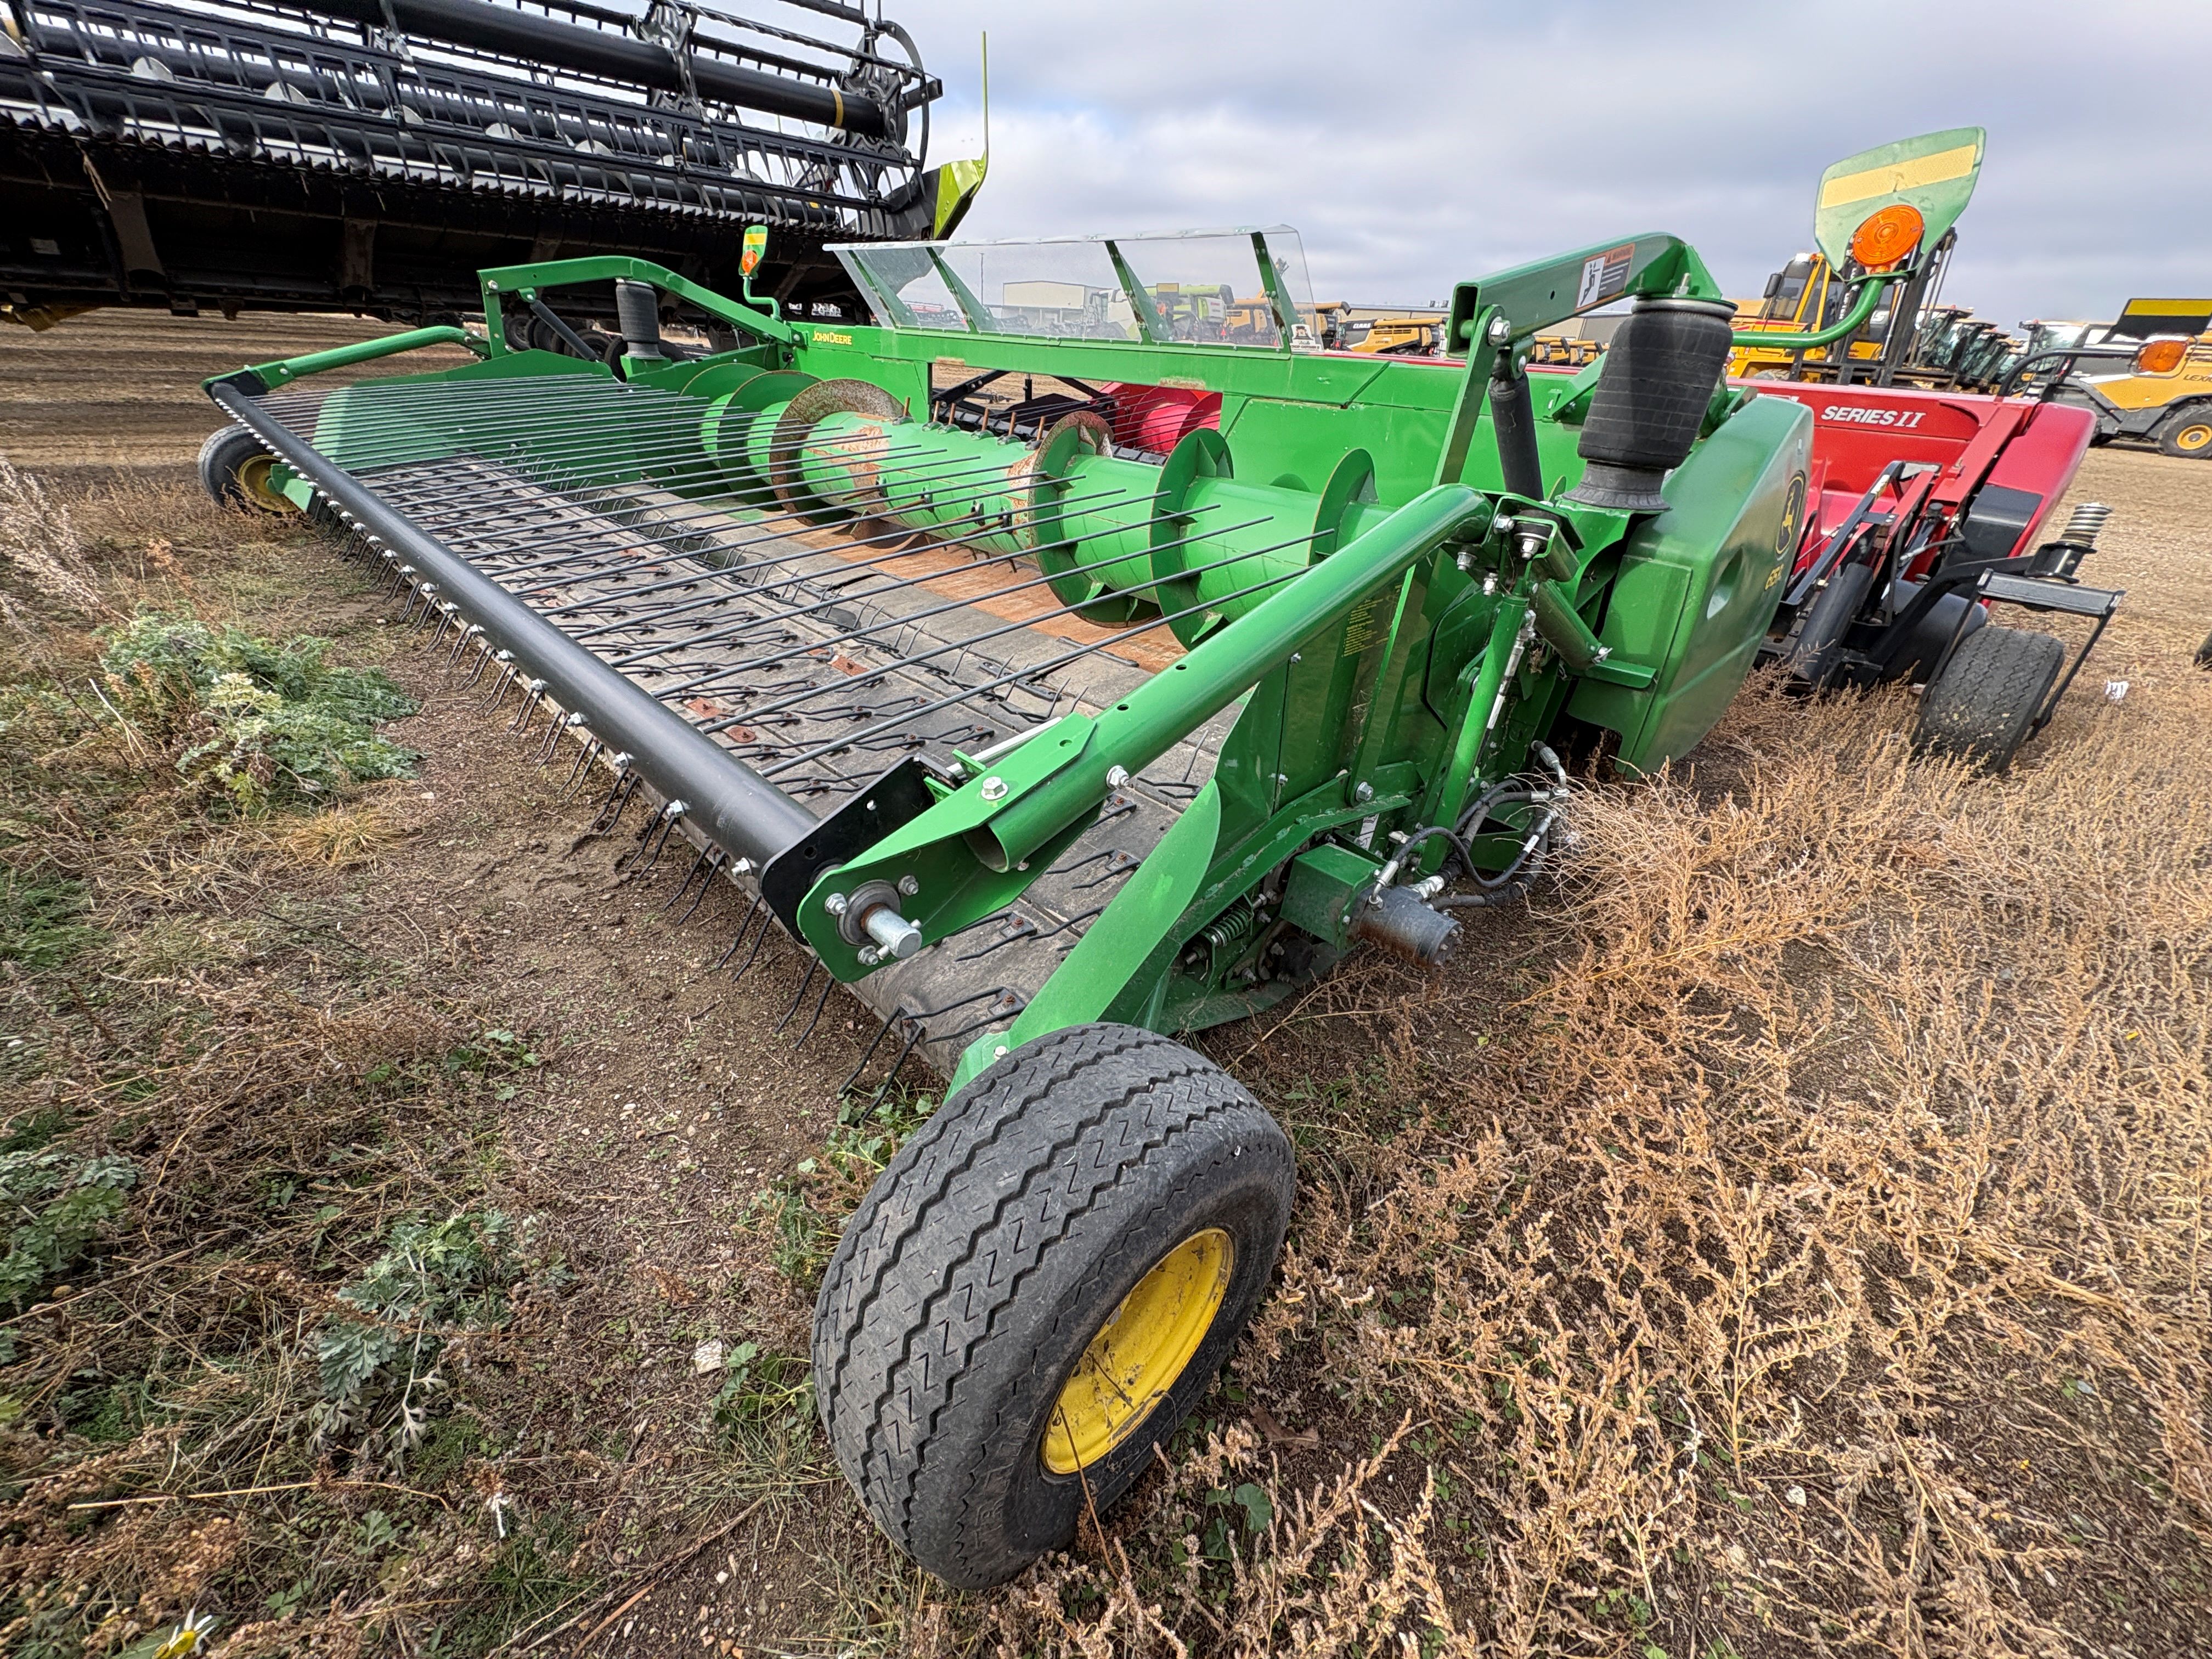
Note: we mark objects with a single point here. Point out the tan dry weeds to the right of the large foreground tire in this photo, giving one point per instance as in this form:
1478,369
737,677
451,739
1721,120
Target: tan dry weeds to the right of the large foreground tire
1817,1264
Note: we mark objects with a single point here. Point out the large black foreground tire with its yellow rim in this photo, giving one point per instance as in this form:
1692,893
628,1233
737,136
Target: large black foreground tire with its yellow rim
1041,1288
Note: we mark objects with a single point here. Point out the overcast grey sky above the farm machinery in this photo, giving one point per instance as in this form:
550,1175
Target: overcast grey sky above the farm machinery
1421,143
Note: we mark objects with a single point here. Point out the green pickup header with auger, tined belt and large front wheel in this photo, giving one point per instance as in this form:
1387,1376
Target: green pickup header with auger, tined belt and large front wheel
1065,658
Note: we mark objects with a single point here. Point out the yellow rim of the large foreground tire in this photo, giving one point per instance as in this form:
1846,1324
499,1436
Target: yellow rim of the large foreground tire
1140,1353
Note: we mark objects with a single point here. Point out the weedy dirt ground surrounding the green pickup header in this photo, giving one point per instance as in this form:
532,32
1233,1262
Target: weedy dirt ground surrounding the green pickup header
1782,1238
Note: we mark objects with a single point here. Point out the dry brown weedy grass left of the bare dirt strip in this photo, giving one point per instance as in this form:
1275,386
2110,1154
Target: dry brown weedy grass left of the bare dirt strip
189,1008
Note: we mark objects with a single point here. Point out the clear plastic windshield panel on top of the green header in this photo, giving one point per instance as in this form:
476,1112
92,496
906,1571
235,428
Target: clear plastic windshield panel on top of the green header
1202,286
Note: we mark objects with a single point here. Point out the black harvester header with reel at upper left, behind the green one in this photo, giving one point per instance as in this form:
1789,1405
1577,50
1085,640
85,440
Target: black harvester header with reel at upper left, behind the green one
375,154
